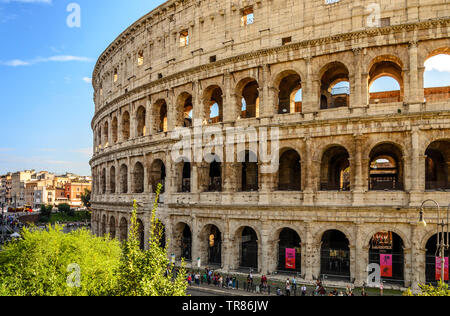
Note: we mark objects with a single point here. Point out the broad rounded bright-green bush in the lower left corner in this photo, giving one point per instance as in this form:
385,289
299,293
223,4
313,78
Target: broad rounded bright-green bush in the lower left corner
38,264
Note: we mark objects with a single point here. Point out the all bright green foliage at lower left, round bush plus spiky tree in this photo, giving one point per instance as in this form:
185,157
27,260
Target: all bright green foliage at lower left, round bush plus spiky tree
42,264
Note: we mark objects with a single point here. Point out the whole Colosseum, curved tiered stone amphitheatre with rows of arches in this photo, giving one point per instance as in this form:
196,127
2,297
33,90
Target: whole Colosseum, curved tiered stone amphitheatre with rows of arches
353,165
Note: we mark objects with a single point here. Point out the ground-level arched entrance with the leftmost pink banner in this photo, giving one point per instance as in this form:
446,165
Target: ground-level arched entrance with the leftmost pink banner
289,251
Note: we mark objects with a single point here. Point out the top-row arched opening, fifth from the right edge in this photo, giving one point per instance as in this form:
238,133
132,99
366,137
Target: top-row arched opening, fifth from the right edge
247,92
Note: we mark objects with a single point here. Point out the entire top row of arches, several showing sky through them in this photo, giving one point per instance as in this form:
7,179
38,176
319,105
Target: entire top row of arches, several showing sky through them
334,91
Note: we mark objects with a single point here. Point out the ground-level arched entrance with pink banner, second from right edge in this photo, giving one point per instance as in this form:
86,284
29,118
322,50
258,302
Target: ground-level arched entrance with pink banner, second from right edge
386,249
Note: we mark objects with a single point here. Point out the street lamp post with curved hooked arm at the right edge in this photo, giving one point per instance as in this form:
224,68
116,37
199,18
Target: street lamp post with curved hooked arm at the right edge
442,233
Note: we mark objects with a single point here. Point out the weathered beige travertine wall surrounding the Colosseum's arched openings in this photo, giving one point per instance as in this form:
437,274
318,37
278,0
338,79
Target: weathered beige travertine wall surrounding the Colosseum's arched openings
136,115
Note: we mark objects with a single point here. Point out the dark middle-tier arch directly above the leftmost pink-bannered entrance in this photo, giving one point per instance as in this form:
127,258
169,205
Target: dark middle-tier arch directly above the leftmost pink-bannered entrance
289,171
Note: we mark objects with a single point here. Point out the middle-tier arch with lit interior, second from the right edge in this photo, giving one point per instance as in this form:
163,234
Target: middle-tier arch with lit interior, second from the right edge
386,167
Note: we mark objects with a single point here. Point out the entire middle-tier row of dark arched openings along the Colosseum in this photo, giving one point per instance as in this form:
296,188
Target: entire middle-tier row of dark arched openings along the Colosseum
386,171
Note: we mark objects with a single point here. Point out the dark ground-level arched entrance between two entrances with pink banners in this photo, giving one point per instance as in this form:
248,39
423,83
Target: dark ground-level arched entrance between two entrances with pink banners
335,256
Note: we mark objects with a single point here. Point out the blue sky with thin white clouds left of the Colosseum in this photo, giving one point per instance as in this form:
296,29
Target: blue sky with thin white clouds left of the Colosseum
46,97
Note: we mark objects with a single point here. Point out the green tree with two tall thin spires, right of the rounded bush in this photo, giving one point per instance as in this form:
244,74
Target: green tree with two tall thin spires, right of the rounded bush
149,272
